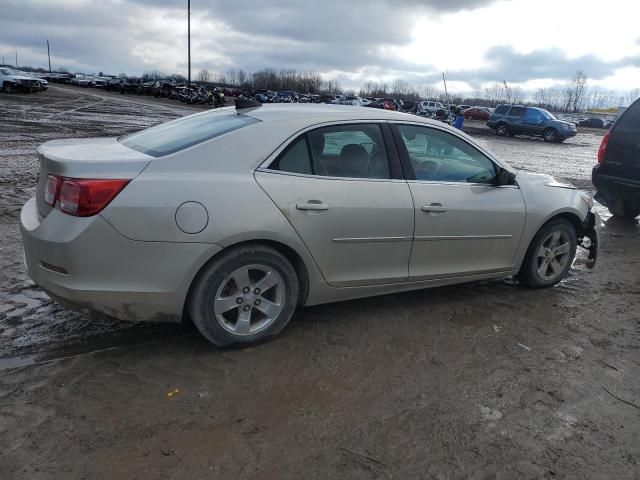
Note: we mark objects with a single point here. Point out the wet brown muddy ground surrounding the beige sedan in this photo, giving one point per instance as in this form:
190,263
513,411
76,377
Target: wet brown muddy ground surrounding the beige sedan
482,381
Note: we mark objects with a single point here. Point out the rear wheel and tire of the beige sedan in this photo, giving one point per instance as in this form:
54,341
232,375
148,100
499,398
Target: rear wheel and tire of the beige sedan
218,303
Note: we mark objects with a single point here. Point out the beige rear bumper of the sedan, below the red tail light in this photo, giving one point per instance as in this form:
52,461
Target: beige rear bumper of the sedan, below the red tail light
84,263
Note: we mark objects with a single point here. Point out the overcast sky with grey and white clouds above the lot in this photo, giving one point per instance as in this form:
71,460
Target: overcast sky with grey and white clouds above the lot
476,42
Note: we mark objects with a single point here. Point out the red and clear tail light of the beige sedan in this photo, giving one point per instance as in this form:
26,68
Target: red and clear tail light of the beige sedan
83,197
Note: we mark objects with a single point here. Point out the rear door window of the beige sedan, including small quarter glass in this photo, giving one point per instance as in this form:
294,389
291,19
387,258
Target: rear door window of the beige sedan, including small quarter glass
348,151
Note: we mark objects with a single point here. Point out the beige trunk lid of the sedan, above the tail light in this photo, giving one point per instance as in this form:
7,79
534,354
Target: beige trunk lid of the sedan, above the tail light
98,158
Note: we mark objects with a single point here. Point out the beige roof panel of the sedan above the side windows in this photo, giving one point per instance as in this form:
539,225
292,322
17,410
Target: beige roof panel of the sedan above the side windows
317,113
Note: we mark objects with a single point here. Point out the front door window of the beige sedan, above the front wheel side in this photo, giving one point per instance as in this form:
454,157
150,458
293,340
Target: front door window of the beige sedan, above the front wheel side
439,156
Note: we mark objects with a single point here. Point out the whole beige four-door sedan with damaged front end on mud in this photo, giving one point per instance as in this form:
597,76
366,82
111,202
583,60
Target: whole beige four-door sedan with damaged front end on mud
236,217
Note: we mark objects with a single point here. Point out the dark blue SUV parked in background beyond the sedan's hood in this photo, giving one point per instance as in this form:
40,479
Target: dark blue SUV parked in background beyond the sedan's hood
518,120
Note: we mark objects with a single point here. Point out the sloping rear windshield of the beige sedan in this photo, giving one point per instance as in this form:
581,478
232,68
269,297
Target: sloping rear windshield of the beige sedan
185,132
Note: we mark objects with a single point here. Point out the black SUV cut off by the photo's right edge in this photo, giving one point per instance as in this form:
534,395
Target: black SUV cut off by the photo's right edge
617,175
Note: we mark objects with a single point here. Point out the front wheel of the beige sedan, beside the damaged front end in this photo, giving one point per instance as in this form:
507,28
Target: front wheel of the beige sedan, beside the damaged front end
550,255
